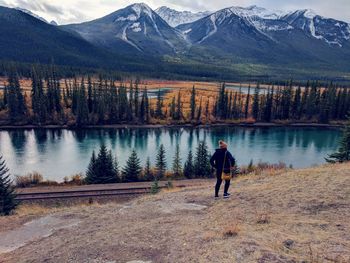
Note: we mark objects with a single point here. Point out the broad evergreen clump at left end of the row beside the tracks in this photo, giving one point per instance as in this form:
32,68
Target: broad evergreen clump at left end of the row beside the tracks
102,169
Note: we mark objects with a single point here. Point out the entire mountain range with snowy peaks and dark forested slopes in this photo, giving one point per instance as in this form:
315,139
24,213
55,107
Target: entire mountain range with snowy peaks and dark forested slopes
241,40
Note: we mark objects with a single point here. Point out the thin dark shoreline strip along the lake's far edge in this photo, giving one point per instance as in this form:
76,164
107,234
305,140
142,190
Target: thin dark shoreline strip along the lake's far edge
158,126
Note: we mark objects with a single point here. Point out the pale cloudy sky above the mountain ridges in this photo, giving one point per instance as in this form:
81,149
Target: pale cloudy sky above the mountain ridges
73,11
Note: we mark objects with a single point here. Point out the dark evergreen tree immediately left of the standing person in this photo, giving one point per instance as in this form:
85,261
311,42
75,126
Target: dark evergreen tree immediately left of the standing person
201,165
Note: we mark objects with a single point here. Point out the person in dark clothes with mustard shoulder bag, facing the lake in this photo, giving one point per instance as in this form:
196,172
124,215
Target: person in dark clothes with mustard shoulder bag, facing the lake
223,162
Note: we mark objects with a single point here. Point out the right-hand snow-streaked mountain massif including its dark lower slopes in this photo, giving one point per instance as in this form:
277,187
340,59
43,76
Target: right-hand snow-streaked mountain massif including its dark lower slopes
256,34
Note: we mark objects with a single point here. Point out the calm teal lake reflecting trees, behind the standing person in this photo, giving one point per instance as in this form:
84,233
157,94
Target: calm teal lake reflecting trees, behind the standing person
59,153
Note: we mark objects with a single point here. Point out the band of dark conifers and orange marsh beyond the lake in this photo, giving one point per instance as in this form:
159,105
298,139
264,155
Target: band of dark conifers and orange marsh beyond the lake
99,101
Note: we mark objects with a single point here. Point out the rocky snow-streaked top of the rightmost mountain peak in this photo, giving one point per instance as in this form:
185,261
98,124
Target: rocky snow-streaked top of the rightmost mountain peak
331,31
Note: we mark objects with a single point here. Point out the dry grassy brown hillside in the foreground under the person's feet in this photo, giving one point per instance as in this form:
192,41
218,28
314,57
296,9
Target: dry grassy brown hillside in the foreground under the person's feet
294,216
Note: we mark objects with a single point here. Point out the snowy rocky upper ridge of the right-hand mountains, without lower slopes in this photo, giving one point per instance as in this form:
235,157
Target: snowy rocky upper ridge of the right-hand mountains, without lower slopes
330,31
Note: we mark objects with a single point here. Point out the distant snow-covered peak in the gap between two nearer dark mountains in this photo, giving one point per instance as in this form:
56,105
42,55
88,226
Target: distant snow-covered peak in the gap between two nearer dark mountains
175,18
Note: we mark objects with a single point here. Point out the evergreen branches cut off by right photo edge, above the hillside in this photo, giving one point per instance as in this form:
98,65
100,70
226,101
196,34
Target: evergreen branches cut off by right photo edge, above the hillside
343,153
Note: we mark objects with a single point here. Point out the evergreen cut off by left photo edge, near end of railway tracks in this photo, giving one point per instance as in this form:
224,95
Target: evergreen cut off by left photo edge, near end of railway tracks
7,194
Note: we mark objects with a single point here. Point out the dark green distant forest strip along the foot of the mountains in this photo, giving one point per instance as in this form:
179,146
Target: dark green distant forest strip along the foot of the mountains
162,68
